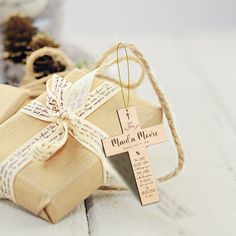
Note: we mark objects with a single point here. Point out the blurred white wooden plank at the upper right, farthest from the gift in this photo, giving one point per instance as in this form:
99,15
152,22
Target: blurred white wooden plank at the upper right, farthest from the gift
214,57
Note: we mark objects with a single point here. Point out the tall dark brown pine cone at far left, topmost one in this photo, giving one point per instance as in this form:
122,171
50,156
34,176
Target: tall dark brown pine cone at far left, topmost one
17,35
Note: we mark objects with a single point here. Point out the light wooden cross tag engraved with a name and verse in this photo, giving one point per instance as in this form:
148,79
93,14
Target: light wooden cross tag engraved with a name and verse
134,140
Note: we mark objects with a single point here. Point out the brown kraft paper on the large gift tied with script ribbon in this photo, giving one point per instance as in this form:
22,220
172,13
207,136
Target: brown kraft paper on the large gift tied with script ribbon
52,189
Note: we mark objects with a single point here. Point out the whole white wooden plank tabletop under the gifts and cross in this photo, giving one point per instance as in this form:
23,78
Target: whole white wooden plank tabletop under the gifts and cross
198,74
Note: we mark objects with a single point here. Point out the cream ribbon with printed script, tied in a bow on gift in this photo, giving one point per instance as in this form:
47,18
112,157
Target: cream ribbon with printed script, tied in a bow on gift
66,108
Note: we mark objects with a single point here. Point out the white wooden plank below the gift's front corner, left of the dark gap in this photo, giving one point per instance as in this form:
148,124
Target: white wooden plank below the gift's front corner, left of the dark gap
15,221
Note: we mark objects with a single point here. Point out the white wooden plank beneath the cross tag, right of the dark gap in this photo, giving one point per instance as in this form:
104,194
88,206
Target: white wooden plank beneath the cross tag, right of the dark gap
202,199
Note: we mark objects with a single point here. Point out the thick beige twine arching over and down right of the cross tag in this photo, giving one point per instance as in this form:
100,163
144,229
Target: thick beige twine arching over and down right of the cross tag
163,101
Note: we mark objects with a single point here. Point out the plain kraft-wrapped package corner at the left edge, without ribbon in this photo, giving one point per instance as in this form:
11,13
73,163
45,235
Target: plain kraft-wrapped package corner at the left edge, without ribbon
11,100
